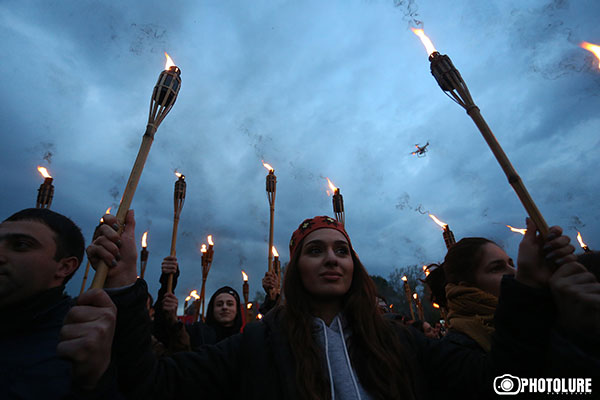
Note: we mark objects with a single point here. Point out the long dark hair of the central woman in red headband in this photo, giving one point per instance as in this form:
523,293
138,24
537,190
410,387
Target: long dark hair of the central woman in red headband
383,369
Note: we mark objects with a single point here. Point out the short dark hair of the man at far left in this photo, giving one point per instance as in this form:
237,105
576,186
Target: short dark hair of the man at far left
68,237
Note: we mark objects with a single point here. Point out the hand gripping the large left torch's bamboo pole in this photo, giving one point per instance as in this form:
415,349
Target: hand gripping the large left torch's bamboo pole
117,251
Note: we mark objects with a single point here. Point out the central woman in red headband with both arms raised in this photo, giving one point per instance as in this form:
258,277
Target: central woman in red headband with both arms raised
326,340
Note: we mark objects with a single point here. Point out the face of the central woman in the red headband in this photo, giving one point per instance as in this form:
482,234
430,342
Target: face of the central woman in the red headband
325,264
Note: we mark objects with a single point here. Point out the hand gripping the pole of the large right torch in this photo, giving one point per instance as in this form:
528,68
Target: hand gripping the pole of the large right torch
538,258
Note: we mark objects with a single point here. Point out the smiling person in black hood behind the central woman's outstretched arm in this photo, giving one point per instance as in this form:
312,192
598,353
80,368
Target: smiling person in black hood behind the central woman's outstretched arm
224,318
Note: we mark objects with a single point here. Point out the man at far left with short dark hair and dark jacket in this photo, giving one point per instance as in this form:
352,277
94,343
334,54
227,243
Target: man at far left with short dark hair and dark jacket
40,251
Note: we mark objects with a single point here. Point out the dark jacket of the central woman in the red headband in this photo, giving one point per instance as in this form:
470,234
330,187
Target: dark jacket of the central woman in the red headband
258,364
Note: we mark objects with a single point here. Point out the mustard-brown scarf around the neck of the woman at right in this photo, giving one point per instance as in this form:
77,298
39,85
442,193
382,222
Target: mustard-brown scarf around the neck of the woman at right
471,311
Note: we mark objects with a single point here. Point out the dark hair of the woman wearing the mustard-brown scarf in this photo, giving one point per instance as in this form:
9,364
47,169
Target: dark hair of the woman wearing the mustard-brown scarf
459,265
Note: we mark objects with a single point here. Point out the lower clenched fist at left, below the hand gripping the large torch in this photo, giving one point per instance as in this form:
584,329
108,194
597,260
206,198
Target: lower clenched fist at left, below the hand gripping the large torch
86,337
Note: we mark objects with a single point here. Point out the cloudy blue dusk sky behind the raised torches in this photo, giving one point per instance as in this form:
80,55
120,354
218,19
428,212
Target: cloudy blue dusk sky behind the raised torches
337,89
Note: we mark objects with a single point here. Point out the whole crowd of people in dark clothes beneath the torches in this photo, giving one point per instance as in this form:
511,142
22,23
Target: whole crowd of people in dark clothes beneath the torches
323,337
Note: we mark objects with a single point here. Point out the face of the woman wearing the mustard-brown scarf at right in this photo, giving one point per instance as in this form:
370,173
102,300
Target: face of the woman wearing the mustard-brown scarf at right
493,265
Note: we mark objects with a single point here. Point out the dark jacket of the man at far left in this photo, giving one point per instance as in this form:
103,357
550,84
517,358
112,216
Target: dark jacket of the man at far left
29,366
